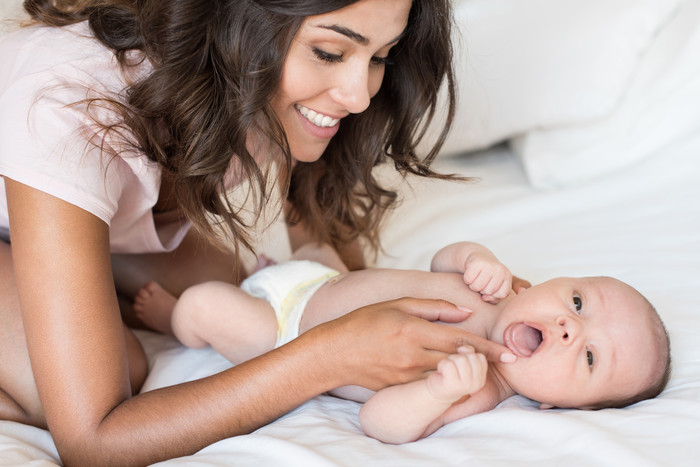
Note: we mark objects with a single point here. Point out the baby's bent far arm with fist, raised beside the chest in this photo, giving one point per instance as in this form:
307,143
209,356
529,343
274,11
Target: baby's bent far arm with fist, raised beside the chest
482,271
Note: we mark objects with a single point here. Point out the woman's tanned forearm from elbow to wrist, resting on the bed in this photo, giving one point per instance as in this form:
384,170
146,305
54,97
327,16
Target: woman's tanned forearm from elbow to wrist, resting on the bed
179,420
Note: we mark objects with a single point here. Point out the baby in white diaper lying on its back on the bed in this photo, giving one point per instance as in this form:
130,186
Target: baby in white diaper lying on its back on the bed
582,343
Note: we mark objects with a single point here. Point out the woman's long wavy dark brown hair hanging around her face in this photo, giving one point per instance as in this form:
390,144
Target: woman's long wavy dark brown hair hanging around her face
216,66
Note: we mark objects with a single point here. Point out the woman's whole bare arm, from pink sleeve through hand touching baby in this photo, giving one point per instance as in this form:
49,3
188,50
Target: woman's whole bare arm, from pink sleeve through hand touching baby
78,351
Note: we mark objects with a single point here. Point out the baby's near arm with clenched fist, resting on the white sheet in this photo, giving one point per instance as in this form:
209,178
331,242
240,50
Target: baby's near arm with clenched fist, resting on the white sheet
407,412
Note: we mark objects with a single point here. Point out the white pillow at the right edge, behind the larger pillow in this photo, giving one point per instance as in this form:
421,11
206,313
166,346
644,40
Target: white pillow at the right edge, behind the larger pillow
660,106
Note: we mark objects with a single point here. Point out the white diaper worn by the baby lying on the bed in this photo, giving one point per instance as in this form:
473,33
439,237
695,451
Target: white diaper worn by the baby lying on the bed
288,287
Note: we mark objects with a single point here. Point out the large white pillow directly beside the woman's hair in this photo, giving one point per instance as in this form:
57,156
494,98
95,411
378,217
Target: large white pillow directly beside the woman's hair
525,64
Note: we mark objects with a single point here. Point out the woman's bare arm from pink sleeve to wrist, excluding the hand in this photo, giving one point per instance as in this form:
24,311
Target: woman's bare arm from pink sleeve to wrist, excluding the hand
78,352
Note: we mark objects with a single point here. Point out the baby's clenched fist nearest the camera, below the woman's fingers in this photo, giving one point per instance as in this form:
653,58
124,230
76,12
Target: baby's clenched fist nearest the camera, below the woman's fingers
458,375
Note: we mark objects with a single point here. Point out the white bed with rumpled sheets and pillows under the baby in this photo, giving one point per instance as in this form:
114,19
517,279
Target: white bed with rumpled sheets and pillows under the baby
586,154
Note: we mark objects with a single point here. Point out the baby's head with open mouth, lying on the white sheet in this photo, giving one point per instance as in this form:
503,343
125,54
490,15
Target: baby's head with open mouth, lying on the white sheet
584,343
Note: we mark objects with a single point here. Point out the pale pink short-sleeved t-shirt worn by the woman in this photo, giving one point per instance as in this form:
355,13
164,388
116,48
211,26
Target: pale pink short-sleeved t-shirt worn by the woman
43,143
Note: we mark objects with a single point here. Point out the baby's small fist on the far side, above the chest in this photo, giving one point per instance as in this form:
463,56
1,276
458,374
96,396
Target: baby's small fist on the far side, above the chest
483,273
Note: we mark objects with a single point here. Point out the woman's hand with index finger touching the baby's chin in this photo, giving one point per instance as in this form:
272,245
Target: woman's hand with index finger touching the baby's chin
395,342
